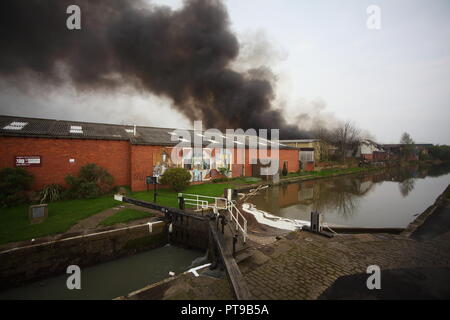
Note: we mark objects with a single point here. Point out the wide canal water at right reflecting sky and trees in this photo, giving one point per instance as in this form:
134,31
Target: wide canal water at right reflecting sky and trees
385,198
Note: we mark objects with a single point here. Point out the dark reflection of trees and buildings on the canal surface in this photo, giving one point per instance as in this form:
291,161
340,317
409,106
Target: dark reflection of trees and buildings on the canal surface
342,194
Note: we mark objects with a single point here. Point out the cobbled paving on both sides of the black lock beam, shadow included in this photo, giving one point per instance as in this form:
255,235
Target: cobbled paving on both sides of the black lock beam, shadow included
307,266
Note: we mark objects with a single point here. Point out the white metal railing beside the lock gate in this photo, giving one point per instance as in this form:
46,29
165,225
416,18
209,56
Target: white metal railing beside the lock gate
205,202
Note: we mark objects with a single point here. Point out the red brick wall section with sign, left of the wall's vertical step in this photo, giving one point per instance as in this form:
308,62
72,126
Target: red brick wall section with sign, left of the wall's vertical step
114,156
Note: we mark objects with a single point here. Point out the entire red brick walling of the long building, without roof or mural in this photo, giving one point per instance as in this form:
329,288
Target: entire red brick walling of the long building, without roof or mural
129,164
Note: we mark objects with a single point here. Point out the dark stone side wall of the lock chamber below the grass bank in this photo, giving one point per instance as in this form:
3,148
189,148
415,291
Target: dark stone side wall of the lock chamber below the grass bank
26,264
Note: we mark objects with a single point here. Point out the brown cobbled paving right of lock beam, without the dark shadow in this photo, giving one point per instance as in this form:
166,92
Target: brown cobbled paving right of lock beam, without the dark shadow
304,265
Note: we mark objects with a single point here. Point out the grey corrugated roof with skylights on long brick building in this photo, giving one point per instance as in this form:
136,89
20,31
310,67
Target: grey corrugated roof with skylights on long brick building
35,127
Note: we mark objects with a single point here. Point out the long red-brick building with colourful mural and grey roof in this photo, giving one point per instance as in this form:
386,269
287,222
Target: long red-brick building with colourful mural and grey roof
52,149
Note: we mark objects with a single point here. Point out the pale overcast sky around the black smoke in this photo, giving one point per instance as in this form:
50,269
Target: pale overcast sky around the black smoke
329,65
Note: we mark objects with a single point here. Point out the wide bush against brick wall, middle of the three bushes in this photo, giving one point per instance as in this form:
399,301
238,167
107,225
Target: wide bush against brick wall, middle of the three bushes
92,181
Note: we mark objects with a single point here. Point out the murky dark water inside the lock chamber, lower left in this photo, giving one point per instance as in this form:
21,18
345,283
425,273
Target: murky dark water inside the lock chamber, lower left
111,279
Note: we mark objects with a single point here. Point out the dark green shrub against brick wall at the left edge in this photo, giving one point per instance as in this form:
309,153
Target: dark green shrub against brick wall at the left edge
13,184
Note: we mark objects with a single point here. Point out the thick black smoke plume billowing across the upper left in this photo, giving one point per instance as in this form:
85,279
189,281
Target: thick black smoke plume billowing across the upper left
183,54
